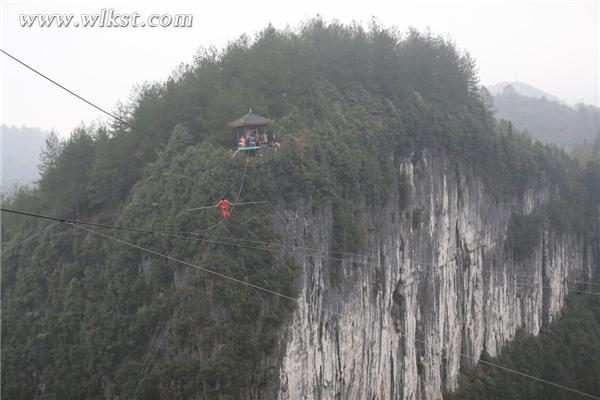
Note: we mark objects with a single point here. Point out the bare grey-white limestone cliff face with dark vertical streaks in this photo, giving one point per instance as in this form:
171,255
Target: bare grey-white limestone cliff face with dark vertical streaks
435,284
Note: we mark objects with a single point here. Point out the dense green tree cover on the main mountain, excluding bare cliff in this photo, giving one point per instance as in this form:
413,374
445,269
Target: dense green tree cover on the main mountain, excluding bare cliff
83,316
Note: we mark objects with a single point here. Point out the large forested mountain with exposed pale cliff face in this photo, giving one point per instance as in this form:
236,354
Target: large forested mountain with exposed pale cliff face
391,171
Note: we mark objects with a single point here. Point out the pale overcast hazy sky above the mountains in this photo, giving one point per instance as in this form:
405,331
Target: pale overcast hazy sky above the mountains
553,45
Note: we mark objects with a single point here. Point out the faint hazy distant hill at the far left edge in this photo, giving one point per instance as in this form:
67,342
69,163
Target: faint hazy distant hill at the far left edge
21,149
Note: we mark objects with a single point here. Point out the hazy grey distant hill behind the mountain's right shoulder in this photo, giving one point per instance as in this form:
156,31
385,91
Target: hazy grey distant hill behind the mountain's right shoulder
545,119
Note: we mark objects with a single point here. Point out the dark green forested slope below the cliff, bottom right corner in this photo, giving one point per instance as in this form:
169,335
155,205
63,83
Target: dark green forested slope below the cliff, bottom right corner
567,351
